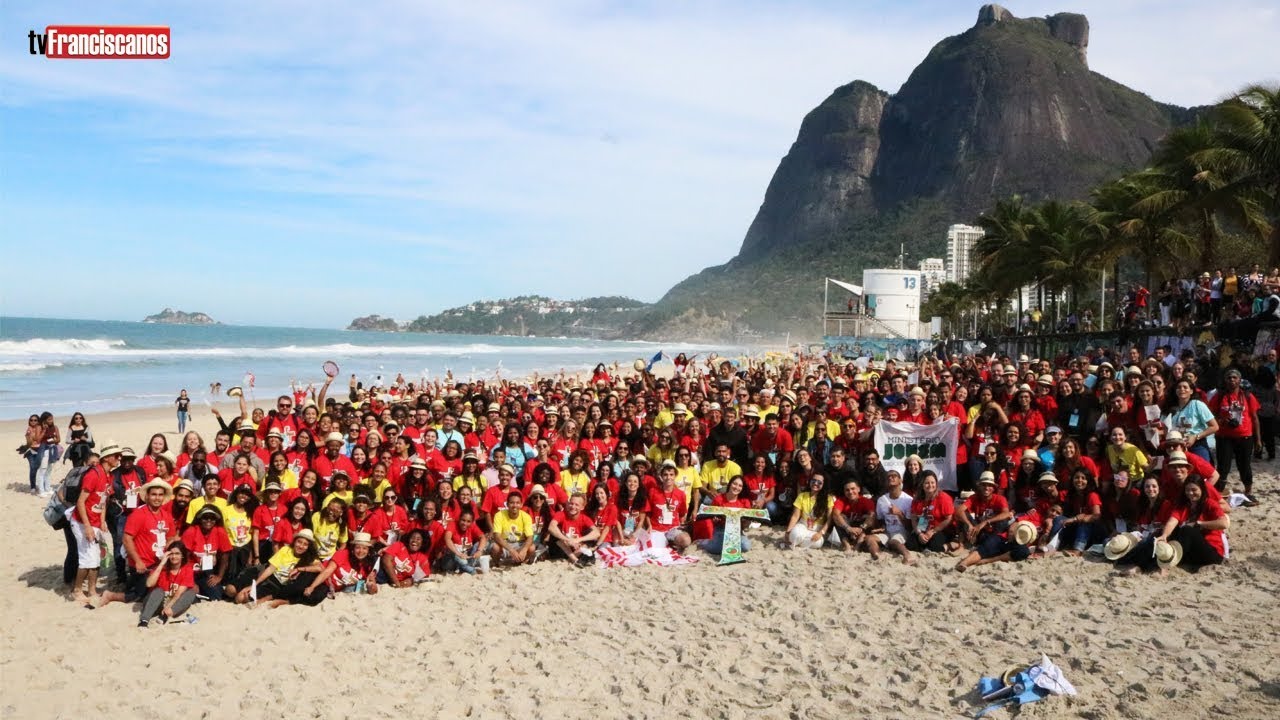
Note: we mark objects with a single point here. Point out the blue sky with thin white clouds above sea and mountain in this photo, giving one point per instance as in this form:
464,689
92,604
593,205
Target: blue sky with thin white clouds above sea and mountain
307,163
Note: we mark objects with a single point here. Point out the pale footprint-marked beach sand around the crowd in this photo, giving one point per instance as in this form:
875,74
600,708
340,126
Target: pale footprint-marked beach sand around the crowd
787,635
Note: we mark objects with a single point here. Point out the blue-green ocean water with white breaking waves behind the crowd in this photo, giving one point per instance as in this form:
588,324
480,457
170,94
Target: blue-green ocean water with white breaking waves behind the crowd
100,366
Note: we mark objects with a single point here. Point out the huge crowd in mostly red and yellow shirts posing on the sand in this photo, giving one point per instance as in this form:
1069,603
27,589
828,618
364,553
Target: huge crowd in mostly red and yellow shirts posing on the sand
381,489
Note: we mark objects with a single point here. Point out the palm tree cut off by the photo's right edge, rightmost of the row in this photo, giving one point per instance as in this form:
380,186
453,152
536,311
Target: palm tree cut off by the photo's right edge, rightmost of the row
1250,134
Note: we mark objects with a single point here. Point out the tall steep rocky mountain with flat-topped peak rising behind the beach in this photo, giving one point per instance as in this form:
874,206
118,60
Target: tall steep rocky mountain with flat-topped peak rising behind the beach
1009,106
